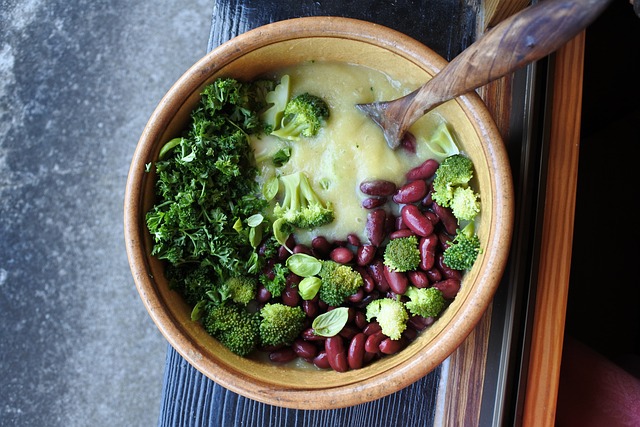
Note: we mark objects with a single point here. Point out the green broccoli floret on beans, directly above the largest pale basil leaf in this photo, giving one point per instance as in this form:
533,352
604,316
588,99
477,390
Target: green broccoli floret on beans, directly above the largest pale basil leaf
338,282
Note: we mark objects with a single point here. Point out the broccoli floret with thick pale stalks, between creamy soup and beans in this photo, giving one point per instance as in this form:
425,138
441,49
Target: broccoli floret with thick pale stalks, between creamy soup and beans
301,206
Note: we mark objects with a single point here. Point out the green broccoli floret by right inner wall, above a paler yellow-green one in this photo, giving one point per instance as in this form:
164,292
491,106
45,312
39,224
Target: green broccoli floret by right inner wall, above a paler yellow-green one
454,171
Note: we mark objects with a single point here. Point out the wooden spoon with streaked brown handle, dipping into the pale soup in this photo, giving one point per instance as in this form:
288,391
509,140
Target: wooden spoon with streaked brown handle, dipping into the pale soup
525,37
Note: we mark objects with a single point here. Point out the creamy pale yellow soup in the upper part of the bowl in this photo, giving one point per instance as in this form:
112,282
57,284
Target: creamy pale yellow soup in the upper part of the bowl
350,148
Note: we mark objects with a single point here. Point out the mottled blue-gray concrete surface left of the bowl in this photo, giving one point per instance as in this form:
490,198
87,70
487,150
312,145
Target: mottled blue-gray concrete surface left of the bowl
78,81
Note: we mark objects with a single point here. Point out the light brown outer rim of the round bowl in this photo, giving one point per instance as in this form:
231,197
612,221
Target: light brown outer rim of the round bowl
388,381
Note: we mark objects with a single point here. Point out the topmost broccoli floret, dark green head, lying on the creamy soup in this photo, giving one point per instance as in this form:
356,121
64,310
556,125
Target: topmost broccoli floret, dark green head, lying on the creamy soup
304,115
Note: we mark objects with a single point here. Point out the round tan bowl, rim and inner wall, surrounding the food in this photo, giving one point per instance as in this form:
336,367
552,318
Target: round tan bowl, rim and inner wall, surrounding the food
269,48
